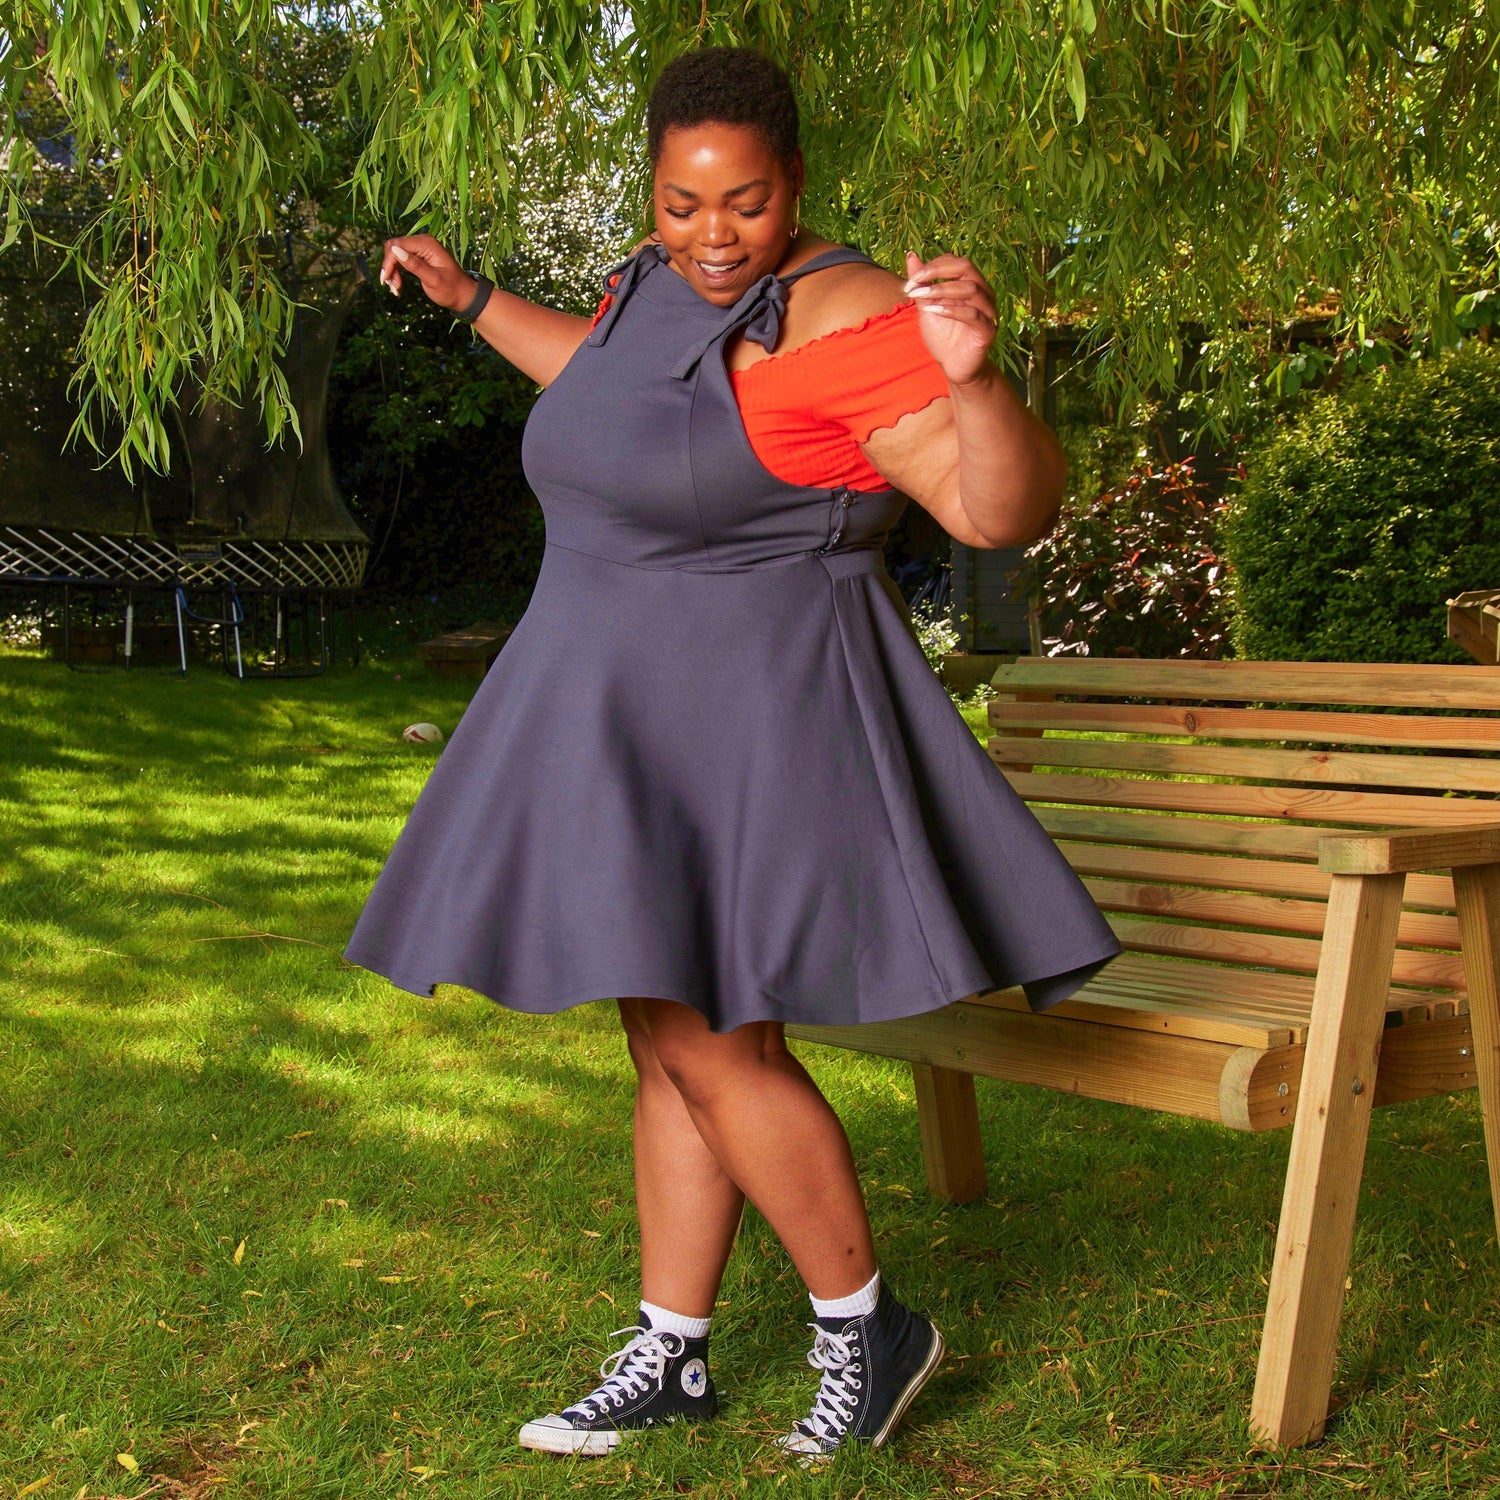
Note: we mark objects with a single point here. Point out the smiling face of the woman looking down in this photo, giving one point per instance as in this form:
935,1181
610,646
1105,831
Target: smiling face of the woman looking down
725,208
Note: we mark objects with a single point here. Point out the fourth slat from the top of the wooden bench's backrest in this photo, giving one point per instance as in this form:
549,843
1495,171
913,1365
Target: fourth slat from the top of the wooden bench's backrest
1312,805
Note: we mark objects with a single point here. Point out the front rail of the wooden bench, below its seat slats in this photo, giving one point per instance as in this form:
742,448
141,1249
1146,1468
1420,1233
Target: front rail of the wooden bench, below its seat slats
1174,1075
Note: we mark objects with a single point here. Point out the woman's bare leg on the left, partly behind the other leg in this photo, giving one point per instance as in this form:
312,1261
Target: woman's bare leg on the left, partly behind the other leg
689,1210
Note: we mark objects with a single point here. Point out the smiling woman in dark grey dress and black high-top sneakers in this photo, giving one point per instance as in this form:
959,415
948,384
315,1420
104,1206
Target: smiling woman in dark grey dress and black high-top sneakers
721,455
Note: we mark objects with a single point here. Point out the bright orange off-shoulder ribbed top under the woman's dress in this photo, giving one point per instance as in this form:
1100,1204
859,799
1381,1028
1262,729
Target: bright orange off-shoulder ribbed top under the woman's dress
808,412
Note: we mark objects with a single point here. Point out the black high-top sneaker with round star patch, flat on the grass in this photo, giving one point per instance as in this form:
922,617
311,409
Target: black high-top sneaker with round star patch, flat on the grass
658,1378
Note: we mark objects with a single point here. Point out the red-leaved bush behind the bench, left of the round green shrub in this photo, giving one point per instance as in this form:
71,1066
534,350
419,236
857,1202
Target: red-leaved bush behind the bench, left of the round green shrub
1136,571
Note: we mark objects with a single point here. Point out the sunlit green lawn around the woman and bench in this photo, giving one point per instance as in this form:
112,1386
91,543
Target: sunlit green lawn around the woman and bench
271,1228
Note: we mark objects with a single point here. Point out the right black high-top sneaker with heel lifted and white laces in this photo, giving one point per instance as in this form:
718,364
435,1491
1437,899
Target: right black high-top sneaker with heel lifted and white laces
874,1367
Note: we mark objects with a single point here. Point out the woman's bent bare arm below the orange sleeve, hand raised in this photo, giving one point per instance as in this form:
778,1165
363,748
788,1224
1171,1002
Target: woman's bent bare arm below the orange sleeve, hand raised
991,472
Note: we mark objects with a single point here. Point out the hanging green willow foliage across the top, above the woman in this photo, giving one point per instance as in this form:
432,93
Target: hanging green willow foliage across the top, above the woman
1208,166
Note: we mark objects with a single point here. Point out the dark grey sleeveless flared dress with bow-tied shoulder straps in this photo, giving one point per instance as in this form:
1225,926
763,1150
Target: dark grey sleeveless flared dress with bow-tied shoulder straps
712,763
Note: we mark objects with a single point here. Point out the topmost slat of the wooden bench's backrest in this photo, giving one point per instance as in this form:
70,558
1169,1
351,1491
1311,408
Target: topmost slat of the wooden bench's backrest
1358,683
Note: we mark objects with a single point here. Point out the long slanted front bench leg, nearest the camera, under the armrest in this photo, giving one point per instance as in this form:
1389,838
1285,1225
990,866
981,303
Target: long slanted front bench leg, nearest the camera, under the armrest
1328,1159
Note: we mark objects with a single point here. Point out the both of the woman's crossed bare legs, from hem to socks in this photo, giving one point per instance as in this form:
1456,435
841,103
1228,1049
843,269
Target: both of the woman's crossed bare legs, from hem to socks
770,1135
